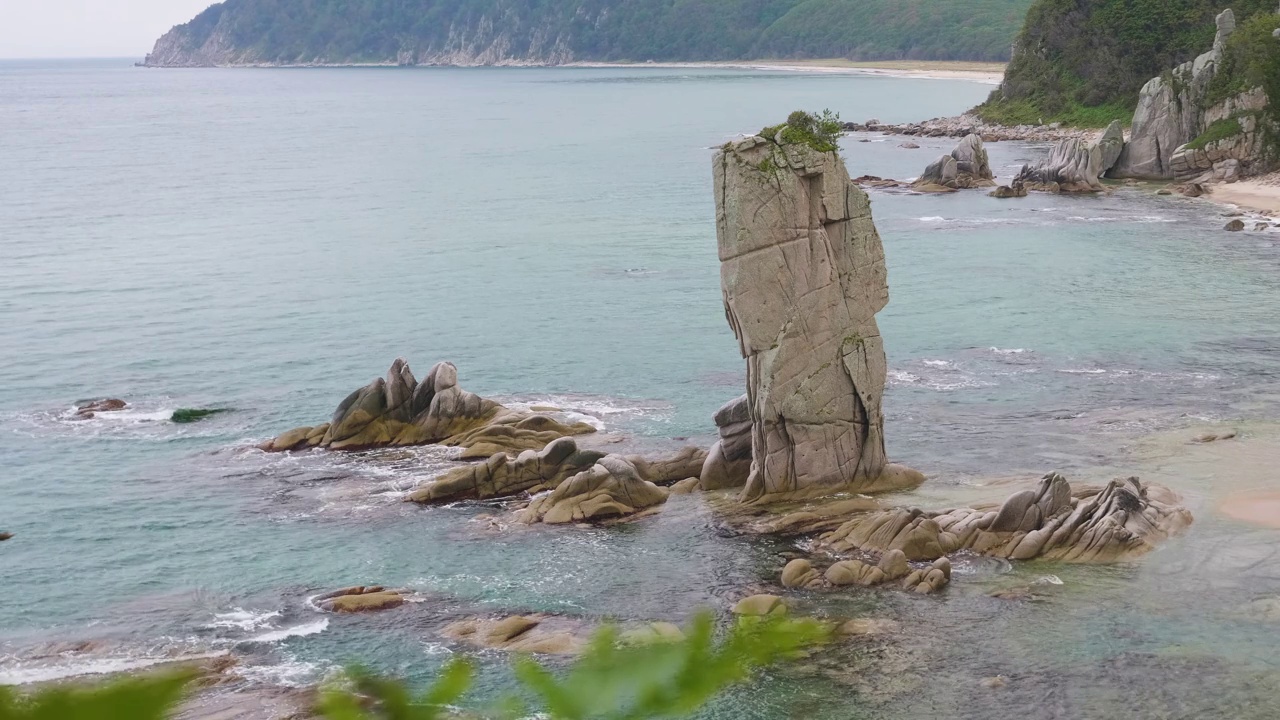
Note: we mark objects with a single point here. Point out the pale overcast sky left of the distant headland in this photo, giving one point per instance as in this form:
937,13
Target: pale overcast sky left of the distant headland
89,29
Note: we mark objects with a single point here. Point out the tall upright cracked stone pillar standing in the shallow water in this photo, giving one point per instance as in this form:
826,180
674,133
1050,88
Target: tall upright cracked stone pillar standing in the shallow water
803,276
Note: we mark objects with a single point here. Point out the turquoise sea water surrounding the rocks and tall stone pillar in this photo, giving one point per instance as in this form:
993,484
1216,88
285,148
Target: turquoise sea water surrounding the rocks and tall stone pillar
269,240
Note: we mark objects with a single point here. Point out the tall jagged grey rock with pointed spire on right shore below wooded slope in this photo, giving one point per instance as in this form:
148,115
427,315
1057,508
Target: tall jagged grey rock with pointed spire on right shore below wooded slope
1174,110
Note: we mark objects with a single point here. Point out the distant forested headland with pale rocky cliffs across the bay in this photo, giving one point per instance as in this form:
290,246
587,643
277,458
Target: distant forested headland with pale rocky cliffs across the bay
555,31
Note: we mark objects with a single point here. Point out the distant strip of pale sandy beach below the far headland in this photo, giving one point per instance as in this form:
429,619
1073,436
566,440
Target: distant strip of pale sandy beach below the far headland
989,74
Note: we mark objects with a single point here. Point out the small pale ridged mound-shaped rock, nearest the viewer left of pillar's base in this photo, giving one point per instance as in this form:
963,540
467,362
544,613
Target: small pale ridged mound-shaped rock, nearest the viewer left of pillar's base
609,490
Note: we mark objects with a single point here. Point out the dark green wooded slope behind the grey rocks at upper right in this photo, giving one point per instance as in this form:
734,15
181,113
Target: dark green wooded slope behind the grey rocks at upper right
1084,62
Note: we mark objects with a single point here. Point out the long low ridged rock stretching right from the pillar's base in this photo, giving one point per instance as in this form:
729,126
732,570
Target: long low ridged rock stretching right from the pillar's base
1121,522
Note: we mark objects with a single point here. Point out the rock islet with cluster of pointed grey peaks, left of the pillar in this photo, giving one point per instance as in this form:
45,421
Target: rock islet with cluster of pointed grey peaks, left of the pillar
399,411
